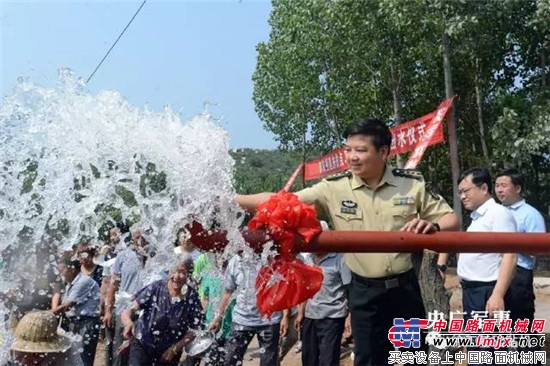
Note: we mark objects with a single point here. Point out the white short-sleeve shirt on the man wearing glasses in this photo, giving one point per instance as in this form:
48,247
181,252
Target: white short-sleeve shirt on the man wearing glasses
484,267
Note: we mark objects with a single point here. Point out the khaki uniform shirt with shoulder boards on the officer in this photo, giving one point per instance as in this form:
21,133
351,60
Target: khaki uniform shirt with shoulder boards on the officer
351,204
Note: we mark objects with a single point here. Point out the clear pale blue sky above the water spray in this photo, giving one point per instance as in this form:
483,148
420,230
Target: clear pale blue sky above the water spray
177,53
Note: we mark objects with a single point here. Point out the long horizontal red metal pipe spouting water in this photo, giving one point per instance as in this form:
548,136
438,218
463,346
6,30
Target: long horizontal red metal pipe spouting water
388,241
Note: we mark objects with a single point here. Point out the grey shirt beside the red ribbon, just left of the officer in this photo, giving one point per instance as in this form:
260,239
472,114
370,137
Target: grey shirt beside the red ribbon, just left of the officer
330,300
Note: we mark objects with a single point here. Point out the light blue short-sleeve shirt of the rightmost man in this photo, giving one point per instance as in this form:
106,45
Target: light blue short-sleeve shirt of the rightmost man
528,220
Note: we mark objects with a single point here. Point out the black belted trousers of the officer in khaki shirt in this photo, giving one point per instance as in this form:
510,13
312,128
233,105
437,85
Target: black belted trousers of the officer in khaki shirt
374,303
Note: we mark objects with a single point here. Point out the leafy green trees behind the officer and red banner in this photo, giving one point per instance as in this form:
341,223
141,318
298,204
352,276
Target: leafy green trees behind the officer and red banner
329,62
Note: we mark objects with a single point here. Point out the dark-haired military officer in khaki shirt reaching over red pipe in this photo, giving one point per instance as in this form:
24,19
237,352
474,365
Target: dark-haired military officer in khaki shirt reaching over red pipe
373,196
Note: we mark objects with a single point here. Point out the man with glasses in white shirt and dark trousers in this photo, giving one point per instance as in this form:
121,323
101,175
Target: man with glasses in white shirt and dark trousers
485,277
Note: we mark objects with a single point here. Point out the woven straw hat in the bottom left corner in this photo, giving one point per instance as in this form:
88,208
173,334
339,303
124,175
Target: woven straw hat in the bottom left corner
37,333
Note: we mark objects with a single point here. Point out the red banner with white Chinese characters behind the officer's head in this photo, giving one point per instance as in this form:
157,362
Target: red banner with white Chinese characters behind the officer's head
414,135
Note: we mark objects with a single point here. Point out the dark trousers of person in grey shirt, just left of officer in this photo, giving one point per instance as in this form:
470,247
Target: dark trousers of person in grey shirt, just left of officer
321,339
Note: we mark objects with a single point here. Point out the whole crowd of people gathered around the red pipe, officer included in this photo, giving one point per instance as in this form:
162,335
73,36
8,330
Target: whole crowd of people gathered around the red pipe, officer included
100,293
